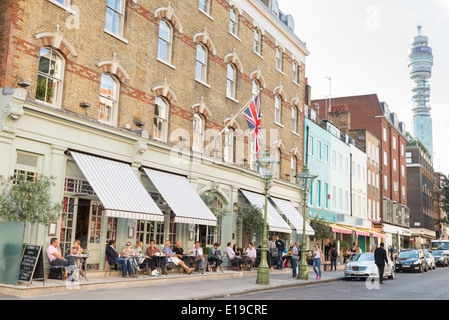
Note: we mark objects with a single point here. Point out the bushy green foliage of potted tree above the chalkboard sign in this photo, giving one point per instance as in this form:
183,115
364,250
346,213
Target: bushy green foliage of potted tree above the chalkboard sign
28,200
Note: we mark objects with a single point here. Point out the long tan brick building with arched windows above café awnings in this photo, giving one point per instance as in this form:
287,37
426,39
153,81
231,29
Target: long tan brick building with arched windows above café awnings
149,84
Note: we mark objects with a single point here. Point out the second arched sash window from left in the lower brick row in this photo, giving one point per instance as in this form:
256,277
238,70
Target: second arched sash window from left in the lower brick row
108,99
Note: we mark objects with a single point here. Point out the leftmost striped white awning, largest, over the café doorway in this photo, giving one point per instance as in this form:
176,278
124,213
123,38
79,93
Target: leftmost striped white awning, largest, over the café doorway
118,188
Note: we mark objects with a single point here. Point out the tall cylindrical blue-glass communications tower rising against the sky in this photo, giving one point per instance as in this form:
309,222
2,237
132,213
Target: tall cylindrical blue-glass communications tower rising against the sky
420,62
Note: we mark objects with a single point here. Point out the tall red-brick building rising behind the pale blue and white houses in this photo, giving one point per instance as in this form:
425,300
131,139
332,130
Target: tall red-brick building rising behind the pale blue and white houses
367,112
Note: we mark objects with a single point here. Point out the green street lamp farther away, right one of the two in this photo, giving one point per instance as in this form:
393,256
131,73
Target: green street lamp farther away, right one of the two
305,180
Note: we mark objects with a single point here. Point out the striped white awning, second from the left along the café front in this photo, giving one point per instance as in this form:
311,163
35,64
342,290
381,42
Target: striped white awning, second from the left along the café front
182,199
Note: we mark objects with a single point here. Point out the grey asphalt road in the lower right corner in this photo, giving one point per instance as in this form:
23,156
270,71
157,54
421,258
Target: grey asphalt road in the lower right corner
431,285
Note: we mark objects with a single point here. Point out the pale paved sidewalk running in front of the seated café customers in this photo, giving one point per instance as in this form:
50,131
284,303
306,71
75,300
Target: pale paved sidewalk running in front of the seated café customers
175,286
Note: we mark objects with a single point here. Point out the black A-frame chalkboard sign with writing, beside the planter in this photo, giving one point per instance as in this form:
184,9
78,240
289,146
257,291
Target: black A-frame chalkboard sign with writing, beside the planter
32,264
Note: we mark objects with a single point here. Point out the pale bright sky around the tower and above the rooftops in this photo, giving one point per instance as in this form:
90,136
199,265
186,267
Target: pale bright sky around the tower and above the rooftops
363,45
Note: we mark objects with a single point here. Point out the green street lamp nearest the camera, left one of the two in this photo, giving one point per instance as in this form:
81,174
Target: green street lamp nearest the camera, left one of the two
266,167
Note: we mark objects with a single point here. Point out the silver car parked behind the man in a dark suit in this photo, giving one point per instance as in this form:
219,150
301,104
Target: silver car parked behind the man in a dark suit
362,265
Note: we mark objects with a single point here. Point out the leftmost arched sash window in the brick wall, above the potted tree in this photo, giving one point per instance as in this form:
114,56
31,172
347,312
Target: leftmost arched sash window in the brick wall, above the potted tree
50,74
